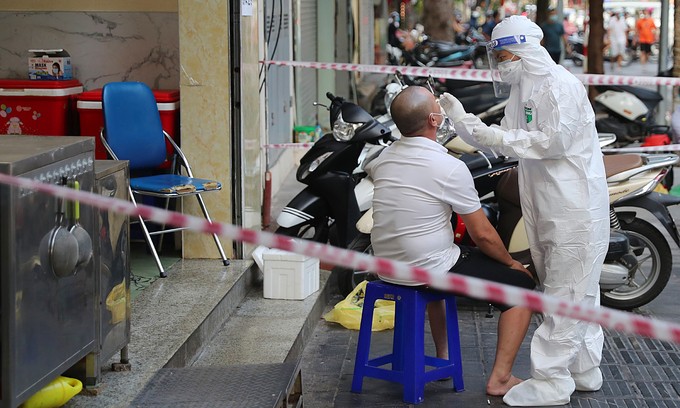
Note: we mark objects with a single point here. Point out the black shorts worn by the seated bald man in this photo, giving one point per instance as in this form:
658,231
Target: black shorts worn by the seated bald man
472,262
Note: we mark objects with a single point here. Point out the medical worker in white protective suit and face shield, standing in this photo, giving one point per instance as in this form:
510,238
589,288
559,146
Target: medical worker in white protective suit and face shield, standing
549,125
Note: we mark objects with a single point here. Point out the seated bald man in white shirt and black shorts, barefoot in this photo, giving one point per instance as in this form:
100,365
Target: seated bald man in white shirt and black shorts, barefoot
417,187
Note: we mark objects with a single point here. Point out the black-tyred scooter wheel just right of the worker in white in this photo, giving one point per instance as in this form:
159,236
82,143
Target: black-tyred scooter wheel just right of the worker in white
653,270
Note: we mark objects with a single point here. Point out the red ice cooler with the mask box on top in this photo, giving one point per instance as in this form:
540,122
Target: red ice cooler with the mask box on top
30,107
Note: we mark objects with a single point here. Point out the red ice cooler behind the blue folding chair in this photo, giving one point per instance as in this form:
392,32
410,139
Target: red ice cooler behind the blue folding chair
91,117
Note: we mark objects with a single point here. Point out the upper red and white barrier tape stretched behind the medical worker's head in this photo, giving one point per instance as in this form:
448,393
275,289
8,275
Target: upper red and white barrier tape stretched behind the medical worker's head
482,75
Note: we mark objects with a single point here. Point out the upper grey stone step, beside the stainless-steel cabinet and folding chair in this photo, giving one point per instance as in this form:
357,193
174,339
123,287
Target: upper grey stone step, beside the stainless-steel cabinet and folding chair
170,321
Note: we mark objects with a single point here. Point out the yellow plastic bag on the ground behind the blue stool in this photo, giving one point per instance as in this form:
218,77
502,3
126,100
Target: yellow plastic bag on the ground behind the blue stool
348,311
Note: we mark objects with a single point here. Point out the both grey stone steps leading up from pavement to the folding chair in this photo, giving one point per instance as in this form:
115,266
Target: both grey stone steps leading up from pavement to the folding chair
210,317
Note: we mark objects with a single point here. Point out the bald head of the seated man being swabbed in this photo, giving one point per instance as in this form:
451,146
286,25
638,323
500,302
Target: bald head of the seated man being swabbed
411,110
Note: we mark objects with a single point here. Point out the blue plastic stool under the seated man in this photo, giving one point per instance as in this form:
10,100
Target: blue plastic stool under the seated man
408,360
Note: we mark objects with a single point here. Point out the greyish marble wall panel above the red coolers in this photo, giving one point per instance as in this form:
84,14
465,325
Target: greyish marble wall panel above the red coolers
104,46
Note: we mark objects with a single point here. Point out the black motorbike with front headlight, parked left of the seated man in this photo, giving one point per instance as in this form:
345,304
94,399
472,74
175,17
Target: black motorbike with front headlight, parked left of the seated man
331,204
